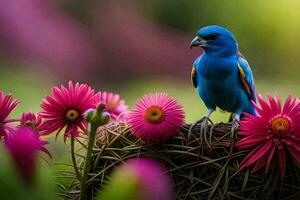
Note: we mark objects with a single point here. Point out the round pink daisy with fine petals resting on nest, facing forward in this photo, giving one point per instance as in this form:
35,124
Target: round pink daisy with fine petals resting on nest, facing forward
156,117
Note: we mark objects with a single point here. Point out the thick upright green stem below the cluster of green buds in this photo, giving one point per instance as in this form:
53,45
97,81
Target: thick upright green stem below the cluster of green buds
87,163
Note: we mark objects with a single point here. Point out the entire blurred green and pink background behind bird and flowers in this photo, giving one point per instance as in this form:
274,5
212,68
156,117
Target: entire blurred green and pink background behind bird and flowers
141,46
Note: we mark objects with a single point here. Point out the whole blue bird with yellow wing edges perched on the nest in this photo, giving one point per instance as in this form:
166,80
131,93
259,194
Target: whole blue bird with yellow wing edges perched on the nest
222,75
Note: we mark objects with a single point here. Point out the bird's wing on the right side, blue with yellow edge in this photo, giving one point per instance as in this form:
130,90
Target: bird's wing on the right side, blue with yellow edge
246,77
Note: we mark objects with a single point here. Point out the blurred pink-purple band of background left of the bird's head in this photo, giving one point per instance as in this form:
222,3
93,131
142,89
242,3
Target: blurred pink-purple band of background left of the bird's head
112,43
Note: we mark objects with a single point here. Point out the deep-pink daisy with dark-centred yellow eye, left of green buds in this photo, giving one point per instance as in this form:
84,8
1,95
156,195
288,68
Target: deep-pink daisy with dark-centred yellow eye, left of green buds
66,108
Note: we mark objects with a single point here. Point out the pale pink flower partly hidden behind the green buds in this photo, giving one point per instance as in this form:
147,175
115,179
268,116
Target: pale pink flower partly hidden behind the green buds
115,106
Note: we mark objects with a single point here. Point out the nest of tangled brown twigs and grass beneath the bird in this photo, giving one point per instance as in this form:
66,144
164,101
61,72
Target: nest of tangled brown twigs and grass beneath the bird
201,169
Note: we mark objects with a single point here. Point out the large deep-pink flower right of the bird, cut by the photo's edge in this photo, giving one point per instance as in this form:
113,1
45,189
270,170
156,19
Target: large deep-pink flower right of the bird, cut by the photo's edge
275,130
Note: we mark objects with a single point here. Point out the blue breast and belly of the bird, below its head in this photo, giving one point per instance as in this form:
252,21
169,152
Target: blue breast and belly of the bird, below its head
225,82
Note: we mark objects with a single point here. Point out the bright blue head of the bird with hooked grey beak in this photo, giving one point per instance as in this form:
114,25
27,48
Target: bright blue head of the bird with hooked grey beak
216,39
